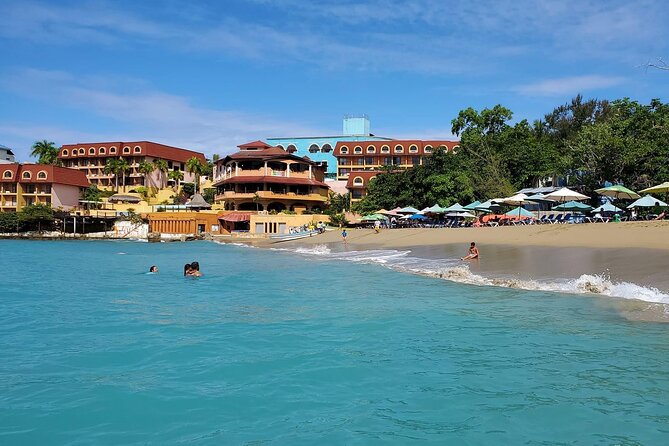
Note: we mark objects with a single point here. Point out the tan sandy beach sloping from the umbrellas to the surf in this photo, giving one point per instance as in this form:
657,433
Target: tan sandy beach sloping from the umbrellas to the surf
632,254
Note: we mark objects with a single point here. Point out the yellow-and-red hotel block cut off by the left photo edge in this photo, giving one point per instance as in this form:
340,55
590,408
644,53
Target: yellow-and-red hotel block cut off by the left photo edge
26,184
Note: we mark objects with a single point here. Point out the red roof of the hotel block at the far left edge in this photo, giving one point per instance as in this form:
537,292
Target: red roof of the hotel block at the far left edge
50,174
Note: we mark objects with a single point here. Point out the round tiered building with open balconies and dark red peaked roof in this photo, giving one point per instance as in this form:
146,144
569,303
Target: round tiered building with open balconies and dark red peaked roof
264,178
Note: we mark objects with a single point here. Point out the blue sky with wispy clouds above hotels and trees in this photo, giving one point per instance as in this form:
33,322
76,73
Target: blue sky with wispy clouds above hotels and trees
209,75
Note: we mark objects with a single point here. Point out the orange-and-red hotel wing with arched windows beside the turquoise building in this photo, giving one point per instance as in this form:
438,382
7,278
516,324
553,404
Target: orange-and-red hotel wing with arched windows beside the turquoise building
372,155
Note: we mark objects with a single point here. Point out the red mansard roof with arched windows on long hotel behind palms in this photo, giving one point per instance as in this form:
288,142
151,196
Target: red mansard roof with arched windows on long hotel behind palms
146,148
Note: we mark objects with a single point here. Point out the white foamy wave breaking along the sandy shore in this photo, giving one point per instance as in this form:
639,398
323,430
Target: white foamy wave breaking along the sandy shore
455,271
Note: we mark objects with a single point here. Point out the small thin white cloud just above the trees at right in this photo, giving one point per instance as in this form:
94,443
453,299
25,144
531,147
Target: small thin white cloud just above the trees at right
568,85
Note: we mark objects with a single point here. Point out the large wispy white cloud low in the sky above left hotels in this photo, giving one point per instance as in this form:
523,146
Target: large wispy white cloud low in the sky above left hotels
141,114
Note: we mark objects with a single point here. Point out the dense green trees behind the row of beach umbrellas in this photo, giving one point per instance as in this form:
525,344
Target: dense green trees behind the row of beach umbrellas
585,143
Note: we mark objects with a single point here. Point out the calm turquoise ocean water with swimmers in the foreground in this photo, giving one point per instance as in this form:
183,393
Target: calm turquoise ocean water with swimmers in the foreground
301,348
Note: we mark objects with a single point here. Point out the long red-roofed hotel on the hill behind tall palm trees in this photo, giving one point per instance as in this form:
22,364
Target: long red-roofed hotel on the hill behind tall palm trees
91,158
